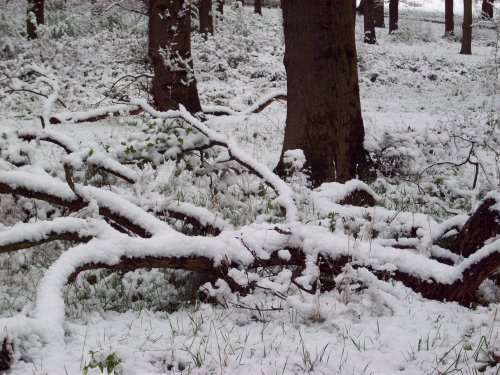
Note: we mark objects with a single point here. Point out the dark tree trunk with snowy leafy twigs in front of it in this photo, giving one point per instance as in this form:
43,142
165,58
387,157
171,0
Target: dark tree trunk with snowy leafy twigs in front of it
170,52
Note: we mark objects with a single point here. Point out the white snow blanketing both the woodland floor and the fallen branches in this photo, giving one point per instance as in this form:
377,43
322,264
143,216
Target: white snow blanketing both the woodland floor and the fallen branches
422,104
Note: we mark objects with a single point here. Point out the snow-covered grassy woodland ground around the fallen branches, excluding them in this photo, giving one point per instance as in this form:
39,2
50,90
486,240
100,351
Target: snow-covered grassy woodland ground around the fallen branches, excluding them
422,103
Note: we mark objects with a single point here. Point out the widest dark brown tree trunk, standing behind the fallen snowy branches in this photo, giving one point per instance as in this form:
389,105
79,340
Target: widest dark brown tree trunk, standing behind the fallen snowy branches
323,111
